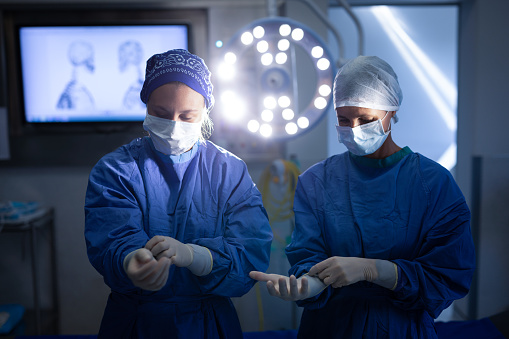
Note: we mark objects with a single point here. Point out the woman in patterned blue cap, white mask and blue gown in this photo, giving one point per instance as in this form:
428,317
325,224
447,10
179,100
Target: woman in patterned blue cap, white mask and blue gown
174,223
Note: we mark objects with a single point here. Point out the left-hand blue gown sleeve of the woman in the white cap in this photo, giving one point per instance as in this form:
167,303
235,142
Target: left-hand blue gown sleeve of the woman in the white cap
307,247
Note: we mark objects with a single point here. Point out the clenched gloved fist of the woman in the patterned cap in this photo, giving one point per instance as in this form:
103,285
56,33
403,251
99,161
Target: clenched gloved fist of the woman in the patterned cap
145,271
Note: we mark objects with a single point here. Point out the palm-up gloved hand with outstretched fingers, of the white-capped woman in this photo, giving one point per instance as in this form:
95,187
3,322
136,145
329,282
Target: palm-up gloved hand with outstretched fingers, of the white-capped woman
289,288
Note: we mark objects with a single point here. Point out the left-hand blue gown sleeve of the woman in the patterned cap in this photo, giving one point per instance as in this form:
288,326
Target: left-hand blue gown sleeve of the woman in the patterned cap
113,219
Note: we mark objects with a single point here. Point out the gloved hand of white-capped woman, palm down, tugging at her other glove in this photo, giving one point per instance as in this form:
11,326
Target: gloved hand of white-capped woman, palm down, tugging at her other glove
343,271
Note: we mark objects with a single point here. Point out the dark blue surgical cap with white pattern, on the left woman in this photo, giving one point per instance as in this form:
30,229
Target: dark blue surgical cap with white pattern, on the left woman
178,65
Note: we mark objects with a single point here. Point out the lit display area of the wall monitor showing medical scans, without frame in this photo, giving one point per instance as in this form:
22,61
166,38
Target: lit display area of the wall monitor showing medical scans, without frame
90,73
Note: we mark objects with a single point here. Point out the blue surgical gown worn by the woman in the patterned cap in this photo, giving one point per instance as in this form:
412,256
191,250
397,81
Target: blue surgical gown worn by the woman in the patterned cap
205,197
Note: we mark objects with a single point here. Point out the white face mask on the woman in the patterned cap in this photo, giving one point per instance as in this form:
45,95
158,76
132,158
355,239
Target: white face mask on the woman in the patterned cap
172,137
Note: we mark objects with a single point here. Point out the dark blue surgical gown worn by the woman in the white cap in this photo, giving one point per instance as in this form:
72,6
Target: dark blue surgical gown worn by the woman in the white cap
406,209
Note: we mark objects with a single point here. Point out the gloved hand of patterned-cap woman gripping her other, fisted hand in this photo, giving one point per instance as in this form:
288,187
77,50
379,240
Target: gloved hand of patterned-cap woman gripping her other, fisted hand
180,254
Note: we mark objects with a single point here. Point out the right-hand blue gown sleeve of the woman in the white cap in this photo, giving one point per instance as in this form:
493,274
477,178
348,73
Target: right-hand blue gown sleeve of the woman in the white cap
443,269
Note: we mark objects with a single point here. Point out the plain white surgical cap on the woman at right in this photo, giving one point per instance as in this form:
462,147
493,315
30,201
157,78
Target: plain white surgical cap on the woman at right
369,82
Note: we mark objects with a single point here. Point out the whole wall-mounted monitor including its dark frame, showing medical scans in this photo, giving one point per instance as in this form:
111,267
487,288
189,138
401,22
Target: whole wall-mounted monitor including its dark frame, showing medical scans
79,69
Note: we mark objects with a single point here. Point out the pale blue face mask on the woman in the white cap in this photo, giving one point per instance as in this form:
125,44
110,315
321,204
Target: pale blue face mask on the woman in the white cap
364,139
